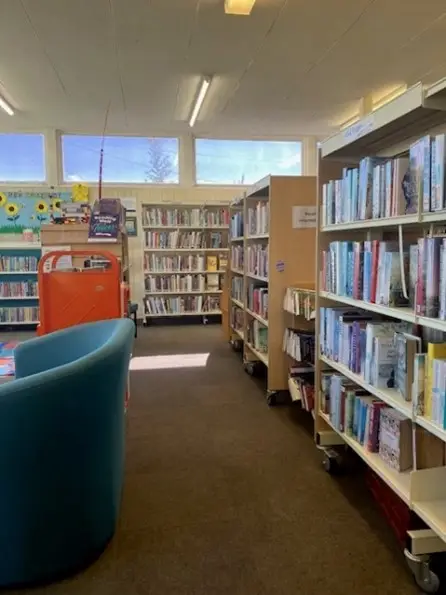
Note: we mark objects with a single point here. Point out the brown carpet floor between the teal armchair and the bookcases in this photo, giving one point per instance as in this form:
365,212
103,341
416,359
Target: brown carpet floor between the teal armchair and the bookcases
226,496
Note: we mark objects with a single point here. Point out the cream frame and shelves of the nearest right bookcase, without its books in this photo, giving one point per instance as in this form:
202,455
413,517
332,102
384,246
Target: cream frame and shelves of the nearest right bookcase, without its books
388,132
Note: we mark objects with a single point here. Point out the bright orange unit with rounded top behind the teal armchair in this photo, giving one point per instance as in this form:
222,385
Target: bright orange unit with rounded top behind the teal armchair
80,295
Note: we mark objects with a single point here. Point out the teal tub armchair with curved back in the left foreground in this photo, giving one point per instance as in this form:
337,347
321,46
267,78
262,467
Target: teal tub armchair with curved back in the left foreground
62,450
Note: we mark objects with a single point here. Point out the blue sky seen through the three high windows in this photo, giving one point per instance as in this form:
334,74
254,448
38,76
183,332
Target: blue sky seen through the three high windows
141,160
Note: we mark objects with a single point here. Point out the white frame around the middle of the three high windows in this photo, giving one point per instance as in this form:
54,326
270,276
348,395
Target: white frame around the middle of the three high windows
137,185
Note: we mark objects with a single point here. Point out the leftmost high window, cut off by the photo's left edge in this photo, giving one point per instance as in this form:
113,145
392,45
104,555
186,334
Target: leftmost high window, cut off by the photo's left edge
22,158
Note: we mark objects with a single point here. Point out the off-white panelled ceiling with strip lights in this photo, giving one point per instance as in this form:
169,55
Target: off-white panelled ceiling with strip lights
293,67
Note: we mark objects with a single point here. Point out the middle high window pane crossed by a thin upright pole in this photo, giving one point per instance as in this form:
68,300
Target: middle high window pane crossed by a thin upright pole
127,160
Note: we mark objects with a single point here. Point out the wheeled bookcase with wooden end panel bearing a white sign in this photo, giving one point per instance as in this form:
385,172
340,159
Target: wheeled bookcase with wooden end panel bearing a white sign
270,224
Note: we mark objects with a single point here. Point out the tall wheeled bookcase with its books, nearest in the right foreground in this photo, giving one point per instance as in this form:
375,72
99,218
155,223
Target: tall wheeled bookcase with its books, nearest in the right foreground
361,164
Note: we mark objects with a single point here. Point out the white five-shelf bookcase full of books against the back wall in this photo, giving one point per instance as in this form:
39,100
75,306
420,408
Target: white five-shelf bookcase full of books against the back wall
185,258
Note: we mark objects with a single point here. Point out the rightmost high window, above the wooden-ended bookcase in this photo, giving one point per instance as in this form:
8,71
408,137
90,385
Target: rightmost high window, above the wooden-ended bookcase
245,162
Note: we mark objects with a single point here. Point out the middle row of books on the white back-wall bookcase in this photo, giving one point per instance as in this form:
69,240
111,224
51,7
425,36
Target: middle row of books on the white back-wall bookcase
185,263
